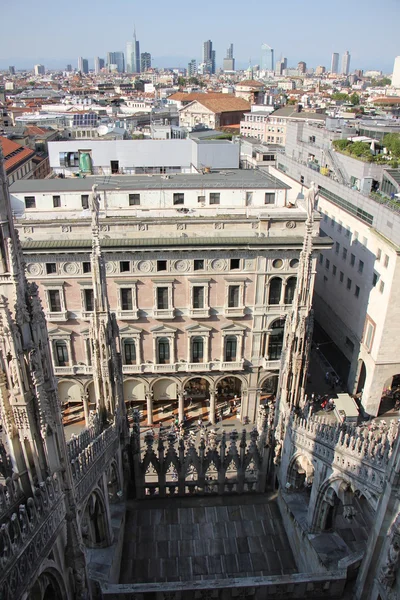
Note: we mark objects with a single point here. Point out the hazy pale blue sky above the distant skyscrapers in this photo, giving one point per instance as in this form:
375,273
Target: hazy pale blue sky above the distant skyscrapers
310,30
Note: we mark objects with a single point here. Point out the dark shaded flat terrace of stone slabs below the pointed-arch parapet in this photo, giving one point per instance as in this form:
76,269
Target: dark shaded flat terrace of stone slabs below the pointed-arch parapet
204,538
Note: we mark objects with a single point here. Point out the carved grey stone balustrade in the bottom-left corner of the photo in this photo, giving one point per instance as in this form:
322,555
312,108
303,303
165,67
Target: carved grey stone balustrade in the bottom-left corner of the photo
26,536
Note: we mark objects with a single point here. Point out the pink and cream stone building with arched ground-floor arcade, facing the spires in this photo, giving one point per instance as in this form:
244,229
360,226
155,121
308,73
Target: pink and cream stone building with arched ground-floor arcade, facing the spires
200,296
